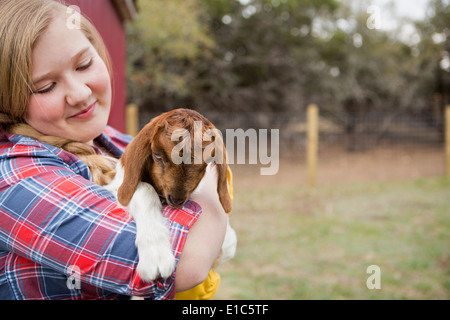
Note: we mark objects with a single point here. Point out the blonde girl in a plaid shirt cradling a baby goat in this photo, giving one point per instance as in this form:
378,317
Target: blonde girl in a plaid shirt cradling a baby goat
62,236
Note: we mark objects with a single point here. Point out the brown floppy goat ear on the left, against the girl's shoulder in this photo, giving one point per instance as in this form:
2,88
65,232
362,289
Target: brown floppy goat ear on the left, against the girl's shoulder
134,162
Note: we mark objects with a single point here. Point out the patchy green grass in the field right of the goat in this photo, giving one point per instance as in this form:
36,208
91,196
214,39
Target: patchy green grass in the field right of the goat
301,243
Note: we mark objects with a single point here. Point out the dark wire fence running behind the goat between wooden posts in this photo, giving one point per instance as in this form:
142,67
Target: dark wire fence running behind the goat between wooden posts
351,133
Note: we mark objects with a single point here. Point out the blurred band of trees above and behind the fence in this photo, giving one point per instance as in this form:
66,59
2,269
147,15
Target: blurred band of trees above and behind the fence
280,55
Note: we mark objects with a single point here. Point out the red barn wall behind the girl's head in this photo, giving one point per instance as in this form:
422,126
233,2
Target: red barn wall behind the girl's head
107,21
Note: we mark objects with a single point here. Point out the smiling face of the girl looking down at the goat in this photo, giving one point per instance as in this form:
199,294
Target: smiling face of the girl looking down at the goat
71,85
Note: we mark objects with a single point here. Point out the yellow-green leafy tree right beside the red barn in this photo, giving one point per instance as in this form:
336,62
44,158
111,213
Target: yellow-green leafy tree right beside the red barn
164,45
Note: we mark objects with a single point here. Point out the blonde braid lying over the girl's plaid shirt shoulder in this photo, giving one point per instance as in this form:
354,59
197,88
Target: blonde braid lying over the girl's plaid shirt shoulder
102,168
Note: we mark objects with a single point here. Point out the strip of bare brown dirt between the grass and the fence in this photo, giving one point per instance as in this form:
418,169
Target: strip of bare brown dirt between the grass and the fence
394,163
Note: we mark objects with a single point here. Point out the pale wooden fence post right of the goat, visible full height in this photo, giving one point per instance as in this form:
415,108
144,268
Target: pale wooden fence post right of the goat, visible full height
313,142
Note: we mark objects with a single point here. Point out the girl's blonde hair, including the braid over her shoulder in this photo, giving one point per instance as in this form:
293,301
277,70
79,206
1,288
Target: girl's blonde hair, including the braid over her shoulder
21,24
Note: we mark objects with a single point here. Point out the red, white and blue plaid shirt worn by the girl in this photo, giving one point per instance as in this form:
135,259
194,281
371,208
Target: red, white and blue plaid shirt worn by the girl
64,237
